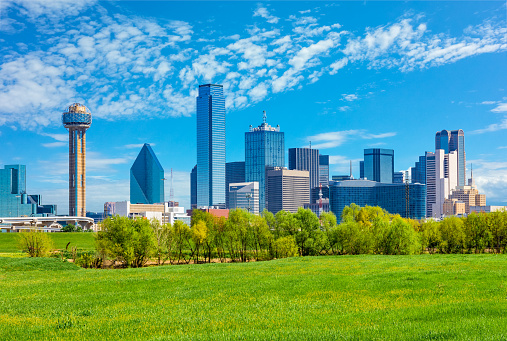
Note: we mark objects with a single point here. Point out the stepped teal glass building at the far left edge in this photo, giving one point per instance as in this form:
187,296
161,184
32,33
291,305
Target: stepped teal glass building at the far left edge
14,202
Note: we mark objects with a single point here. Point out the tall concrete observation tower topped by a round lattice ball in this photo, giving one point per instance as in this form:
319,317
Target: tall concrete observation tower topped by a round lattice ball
77,120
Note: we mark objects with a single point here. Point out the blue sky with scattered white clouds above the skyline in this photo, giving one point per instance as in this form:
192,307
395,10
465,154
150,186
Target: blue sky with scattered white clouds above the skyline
343,75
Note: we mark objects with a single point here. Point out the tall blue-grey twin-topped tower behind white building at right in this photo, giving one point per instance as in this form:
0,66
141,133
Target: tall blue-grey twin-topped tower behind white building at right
451,141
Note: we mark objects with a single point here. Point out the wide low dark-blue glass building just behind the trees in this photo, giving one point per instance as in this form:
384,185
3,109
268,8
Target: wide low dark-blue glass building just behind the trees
407,200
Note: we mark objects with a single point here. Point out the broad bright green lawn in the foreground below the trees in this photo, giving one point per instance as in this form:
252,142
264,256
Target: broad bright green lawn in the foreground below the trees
426,297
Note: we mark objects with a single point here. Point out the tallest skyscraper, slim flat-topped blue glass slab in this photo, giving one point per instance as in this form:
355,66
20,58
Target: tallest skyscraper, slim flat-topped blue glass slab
210,146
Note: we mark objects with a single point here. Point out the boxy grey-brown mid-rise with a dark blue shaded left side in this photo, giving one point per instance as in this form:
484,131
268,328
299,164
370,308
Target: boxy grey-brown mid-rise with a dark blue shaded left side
287,189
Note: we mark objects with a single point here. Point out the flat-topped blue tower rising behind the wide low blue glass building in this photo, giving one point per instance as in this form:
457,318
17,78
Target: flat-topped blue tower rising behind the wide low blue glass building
379,165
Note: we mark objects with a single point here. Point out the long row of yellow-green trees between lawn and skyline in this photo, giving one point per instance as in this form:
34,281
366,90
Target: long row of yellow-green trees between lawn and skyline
244,236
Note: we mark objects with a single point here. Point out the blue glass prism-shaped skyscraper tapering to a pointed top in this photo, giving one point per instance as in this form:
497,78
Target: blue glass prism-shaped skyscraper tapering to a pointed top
146,178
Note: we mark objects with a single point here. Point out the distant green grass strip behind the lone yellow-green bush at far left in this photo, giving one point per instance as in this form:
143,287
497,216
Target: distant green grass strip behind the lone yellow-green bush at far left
82,240
